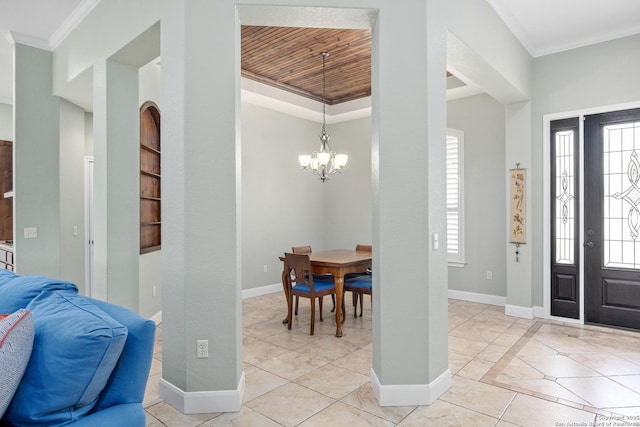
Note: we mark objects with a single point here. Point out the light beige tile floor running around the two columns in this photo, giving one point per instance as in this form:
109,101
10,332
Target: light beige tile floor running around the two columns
506,372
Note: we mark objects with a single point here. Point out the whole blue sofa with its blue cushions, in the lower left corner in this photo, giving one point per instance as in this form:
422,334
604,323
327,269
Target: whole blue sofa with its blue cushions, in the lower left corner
89,361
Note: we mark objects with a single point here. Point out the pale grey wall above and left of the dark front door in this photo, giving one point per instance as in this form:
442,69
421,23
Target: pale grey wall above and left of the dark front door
593,76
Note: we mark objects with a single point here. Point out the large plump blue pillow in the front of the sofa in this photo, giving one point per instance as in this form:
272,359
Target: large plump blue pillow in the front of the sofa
75,349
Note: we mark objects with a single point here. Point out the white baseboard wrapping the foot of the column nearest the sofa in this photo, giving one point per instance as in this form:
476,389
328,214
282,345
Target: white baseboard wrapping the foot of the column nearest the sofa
202,402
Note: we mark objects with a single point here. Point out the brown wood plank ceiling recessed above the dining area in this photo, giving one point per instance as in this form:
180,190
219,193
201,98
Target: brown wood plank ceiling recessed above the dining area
290,59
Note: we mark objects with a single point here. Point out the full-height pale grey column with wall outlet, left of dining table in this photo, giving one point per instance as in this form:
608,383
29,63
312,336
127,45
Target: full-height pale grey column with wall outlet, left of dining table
200,206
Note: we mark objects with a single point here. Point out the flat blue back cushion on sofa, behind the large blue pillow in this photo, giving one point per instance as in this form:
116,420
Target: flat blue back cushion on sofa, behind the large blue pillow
17,291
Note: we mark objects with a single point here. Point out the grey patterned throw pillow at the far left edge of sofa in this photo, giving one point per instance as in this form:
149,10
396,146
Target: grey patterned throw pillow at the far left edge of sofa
16,342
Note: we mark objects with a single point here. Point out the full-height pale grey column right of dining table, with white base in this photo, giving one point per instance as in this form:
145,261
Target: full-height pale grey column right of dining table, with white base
410,352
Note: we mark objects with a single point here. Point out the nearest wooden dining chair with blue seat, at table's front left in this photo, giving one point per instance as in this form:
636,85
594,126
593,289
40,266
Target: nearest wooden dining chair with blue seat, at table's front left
302,284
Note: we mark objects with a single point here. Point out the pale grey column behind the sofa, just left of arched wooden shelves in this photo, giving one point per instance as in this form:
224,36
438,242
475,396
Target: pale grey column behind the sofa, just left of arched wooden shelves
116,177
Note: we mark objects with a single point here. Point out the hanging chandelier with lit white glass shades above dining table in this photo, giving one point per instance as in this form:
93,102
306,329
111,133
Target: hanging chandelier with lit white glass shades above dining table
324,162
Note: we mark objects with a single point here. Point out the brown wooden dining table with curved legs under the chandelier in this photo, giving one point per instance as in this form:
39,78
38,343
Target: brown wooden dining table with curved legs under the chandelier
337,262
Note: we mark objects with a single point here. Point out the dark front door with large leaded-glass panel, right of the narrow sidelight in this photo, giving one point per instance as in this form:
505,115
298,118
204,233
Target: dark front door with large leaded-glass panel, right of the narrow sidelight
612,218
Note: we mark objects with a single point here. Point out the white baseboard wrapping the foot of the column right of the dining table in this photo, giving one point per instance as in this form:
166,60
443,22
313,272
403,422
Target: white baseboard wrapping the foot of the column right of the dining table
410,394
